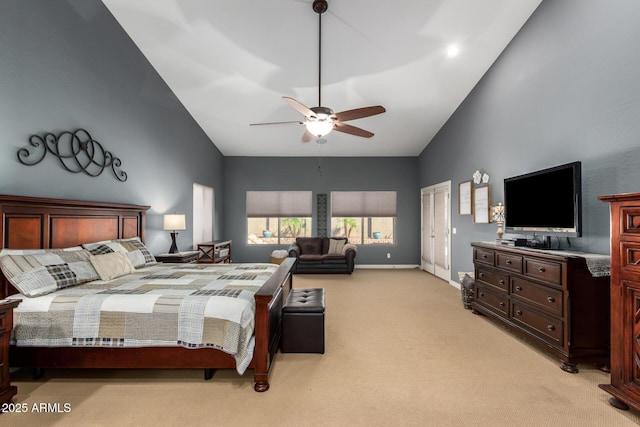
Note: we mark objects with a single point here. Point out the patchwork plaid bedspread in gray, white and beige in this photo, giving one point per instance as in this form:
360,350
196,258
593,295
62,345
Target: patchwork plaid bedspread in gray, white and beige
189,305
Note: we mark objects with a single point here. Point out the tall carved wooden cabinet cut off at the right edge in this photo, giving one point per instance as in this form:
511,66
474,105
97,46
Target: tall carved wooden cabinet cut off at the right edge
625,300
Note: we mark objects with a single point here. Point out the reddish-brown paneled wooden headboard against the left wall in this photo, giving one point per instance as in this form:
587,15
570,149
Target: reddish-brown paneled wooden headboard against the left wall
44,223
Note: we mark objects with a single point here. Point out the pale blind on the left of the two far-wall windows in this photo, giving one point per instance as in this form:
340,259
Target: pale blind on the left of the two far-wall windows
261,204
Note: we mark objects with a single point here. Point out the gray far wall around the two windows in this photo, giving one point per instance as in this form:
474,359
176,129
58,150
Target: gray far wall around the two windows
398,174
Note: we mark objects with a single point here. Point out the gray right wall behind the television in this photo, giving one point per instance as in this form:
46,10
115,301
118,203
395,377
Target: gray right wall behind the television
565,89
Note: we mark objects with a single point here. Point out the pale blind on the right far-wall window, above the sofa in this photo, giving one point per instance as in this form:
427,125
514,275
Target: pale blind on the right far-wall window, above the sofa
363,203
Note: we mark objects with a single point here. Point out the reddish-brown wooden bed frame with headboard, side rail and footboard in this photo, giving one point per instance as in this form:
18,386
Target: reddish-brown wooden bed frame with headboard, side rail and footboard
34,223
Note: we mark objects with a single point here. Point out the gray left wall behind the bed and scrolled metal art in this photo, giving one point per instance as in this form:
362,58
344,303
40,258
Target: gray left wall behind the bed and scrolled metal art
68,64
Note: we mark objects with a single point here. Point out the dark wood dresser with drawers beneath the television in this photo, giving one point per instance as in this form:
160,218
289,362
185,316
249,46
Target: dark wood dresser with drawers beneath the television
549,298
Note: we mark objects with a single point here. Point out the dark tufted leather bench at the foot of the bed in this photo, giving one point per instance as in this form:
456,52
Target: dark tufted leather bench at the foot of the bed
303,322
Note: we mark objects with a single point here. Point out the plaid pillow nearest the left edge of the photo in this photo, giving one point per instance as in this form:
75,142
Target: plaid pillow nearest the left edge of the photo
39,272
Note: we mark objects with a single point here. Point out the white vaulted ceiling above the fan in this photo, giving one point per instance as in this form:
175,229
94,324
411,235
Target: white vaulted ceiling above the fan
230,62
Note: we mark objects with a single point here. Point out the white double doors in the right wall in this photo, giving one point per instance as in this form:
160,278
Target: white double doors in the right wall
436,226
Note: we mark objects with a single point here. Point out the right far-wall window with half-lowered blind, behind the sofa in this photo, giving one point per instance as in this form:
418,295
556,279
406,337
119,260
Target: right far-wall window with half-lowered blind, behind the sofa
364,217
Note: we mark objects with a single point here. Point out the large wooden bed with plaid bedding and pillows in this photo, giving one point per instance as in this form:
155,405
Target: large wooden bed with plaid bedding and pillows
29,223
